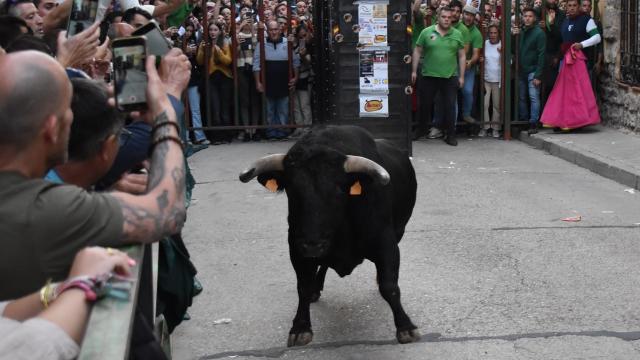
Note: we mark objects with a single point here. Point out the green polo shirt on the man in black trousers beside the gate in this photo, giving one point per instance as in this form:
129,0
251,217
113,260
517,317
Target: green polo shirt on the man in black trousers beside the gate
440,52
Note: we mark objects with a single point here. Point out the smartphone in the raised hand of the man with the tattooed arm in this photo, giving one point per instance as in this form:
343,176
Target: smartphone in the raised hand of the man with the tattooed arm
129,75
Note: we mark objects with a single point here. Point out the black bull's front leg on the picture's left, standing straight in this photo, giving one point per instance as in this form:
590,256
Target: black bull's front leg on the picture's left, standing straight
300,333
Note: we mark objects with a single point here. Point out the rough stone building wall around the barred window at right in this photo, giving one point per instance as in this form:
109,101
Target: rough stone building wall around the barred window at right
619,103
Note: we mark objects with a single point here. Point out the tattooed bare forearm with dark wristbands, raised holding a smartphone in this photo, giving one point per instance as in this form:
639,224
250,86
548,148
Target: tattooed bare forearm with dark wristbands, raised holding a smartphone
160,211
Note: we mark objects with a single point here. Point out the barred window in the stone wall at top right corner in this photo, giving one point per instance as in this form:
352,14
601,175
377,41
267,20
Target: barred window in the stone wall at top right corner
629,44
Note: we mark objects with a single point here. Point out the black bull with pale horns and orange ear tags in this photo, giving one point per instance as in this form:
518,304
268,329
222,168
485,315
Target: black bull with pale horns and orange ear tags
350,198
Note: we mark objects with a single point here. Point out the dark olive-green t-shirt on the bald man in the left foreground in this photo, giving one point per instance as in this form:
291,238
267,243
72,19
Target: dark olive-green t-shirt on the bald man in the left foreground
44,225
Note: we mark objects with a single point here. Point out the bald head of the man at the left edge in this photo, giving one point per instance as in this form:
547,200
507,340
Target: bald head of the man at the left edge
33,88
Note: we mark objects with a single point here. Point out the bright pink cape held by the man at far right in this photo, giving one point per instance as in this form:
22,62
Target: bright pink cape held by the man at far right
571,103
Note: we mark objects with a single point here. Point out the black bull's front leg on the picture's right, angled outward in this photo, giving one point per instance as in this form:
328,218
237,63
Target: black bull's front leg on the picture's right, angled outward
387,266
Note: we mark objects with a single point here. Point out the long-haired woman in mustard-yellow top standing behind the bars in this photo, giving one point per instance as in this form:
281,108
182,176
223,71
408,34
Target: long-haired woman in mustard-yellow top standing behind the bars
220,80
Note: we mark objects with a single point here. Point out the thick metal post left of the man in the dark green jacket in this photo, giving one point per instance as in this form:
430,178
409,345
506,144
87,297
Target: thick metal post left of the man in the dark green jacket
506,68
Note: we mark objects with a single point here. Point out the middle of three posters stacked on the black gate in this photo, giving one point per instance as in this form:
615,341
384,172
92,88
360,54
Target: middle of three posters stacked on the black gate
374,70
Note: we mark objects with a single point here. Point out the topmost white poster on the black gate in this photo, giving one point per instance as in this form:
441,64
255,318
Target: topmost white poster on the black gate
372,20
